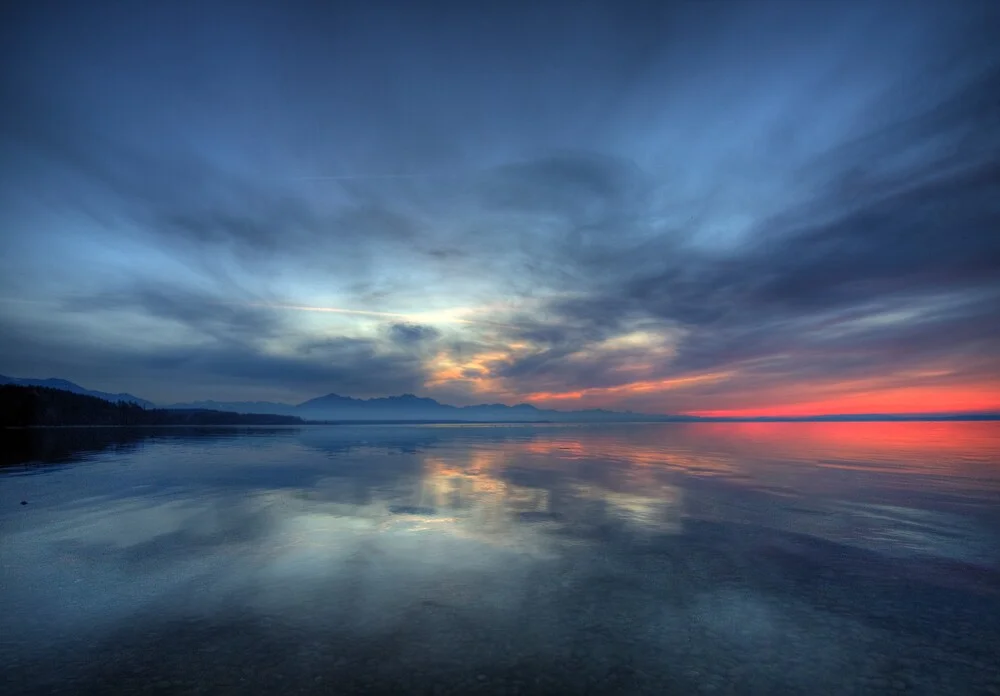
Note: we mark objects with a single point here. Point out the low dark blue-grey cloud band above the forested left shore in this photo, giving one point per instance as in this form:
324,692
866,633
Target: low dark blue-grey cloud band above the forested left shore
227,351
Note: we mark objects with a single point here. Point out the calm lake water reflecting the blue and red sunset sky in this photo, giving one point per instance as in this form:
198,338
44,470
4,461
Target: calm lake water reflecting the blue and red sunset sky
625,559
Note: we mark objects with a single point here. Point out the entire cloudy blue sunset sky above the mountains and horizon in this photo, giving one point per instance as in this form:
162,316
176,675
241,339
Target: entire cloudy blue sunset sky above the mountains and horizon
730,208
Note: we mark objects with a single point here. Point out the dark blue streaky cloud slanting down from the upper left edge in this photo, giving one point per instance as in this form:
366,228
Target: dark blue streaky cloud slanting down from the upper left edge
183,201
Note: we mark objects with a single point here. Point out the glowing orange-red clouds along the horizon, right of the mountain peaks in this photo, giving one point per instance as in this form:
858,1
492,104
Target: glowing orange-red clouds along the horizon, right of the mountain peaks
742,390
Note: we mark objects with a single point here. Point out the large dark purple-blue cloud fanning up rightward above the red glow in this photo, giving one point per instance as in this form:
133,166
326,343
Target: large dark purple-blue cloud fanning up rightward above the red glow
908,241
